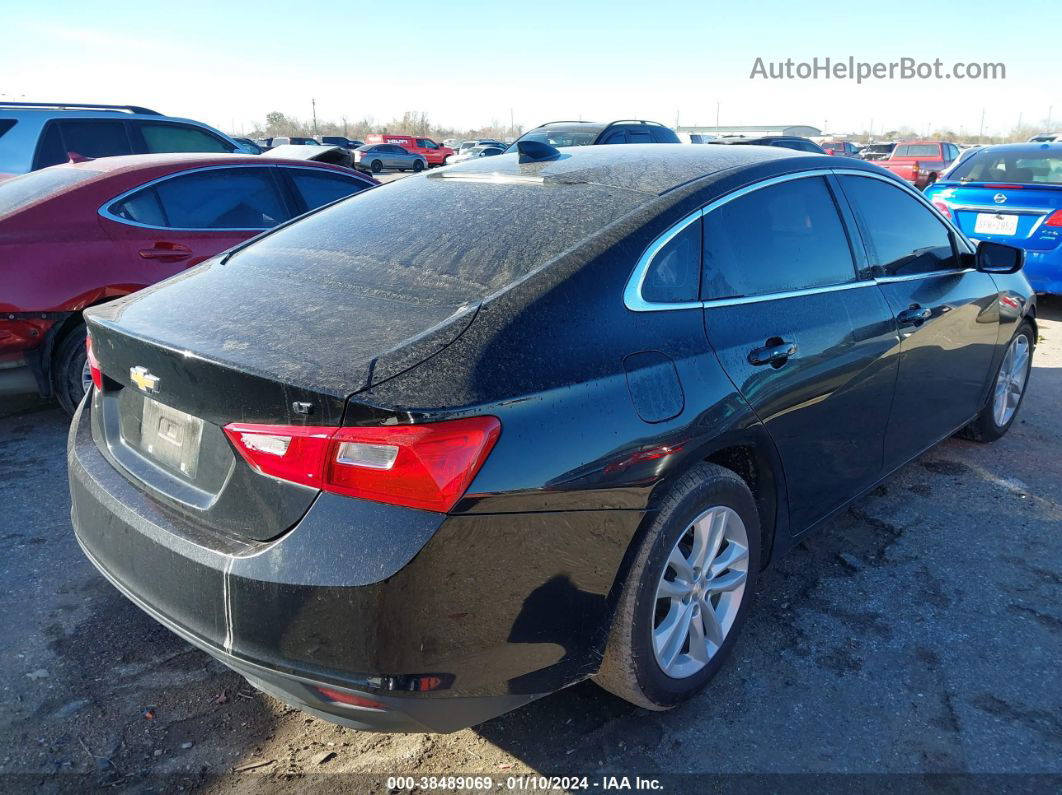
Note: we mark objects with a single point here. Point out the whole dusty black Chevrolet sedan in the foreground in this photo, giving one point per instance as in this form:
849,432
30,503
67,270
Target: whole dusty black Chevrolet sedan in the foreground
459,442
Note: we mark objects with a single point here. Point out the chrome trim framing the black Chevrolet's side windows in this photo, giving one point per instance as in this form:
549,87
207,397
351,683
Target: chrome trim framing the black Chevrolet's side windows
632,293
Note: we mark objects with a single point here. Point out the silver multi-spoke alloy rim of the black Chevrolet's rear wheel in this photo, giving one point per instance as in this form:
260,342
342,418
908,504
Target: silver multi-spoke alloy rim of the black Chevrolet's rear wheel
700,592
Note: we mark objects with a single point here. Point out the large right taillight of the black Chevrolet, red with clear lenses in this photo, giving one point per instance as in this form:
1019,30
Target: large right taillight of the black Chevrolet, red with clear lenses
426,466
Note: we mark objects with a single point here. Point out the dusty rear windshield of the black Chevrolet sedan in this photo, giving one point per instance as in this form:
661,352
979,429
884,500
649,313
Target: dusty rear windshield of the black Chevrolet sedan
437,241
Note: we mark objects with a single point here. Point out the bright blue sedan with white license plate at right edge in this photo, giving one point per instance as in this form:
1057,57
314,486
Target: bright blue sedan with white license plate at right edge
1013,195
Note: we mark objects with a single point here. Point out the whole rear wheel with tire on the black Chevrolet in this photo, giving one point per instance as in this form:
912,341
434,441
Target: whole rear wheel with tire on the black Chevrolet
636,666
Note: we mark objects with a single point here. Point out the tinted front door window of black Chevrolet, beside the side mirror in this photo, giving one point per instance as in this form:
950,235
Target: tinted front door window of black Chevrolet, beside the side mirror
903,236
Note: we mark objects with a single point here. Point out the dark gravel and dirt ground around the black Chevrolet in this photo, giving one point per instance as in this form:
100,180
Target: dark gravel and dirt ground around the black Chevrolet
920,632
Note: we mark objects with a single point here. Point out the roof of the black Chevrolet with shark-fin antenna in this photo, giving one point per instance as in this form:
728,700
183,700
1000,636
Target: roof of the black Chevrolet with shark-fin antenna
649,168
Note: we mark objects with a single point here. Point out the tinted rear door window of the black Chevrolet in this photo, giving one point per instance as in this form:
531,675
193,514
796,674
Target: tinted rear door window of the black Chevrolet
781,238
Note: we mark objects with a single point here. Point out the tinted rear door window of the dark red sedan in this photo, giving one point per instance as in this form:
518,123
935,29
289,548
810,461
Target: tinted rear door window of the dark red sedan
222,199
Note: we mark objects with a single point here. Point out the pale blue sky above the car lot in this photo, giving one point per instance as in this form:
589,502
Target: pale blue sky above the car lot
470,64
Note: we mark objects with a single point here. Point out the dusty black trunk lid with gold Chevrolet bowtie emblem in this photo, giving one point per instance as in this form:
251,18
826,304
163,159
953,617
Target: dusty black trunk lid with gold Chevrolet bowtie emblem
176,375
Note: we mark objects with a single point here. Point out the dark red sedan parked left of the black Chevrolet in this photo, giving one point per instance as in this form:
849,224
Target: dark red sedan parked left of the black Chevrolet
78,235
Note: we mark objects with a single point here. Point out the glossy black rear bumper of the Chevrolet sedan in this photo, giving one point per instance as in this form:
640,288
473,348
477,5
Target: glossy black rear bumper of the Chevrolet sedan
367,598
